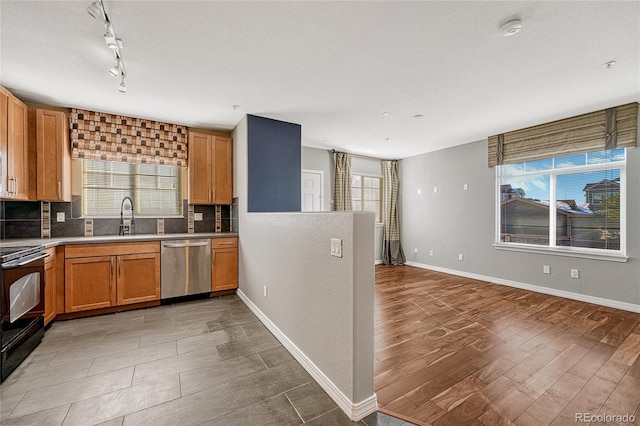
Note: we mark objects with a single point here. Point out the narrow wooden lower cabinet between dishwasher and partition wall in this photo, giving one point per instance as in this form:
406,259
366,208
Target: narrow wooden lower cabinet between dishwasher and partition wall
224,268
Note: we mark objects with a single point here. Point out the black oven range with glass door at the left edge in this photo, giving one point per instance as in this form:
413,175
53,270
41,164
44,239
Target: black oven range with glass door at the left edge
21,304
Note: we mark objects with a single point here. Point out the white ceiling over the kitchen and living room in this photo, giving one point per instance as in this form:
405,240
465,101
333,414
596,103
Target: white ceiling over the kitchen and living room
333,67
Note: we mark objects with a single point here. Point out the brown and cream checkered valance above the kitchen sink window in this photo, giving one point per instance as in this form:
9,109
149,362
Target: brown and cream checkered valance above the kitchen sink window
101,136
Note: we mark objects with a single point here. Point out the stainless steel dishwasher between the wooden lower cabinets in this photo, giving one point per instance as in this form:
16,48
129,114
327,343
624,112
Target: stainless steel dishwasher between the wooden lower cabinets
185,268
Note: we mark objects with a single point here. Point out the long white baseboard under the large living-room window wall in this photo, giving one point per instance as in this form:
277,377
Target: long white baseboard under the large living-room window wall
531,287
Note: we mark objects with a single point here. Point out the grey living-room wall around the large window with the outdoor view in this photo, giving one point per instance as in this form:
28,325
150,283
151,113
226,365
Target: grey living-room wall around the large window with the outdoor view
454,221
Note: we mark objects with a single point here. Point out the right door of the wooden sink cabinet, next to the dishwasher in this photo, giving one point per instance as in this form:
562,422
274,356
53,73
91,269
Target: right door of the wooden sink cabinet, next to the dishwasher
138,278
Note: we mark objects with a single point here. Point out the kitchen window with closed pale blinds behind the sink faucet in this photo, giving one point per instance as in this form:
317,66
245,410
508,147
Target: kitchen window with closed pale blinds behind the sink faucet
156,190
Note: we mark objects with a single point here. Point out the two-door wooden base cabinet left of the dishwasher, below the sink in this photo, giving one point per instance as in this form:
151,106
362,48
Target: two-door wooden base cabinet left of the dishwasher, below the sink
125,275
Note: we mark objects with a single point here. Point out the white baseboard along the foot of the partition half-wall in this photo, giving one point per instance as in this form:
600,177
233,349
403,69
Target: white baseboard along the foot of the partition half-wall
355,411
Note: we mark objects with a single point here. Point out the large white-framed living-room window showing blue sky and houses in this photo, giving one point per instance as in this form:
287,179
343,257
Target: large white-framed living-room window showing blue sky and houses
572,204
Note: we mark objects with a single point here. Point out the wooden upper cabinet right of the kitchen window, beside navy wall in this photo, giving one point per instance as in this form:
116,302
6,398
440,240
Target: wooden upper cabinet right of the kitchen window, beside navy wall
210,168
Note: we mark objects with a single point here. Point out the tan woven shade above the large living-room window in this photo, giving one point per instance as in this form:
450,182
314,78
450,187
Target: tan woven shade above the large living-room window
584,133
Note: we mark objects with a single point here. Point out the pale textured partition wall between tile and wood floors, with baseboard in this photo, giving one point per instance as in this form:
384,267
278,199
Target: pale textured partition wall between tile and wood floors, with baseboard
321,307
